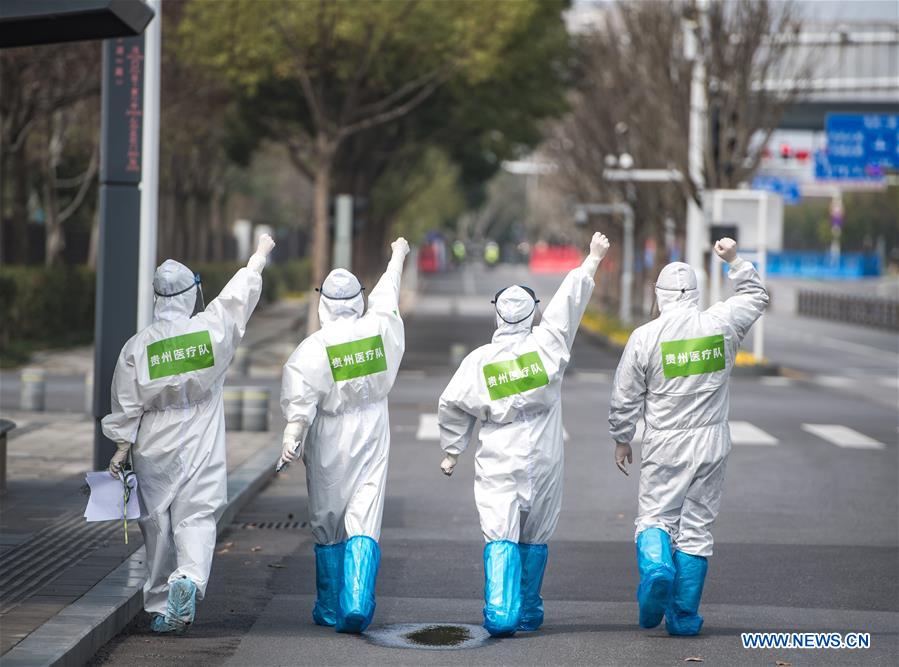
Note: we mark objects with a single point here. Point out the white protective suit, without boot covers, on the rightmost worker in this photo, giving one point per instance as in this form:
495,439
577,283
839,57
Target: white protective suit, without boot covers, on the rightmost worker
674,372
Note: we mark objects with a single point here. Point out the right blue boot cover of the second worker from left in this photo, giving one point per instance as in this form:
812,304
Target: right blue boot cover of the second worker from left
357,596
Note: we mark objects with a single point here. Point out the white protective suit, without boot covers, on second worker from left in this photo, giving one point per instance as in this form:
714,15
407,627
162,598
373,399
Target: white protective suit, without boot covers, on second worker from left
337,381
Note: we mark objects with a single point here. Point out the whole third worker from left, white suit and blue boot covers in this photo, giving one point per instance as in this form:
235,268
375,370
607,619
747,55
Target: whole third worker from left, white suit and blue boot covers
513,386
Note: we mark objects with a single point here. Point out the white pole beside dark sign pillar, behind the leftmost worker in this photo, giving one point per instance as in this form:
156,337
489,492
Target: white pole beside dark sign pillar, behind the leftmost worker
150,183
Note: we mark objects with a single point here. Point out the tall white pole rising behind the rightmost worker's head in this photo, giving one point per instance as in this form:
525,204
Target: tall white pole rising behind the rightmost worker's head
696,227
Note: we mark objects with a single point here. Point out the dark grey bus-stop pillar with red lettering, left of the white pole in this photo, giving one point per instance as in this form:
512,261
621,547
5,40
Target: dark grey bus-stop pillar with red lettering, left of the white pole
119,238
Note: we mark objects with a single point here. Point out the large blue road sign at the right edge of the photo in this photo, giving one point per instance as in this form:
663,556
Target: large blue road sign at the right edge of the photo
859,146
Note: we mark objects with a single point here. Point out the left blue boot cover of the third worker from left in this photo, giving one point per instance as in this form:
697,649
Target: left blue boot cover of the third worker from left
502,588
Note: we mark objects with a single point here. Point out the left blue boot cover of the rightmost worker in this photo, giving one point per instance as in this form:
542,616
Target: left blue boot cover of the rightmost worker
657,574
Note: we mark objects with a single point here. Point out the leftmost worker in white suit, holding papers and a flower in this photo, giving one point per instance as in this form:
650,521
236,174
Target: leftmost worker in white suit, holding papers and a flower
167,412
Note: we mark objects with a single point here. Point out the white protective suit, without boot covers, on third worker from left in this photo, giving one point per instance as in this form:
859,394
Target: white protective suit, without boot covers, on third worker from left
518,478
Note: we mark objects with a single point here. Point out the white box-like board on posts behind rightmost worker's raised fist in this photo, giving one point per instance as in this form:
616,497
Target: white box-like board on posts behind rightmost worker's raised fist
746,210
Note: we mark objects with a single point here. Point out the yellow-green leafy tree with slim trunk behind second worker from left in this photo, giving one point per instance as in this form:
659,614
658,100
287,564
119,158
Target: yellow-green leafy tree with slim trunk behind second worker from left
358,67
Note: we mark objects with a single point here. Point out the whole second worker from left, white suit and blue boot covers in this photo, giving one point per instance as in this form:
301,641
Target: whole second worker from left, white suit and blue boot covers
334,398
